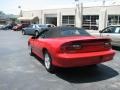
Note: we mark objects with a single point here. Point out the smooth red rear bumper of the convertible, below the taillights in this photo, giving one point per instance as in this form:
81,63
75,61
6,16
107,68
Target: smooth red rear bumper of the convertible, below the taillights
82,59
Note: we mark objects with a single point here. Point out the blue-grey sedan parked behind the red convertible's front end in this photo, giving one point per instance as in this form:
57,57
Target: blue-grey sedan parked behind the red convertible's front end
34,29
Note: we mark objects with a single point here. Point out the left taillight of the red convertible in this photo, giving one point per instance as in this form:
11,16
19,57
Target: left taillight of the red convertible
71,47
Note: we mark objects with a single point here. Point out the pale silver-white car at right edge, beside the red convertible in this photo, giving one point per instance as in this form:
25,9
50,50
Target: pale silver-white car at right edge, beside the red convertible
112,32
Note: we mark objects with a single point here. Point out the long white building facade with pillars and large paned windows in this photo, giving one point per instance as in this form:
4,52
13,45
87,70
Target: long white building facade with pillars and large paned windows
93,18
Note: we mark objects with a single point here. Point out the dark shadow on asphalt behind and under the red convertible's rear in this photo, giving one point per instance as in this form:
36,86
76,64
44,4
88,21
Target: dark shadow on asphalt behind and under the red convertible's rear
86,74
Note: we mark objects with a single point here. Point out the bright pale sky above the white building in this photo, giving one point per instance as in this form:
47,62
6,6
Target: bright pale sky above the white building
11,6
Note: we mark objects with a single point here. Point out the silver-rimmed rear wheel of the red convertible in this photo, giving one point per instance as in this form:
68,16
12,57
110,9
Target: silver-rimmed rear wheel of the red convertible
48,62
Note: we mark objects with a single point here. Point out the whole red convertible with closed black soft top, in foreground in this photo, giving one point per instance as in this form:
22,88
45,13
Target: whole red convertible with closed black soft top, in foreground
70,47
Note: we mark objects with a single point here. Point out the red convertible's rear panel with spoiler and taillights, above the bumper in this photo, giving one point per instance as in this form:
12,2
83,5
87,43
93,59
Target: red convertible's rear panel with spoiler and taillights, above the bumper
85,44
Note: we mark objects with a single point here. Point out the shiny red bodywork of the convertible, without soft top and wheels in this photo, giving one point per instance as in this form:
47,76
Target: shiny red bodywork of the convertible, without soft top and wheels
92,51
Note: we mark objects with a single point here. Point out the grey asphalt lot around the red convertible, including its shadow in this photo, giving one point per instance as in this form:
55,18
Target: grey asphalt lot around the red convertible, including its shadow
20,71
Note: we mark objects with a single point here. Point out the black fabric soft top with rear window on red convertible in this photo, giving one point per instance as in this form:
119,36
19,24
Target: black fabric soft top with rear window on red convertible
63,31
